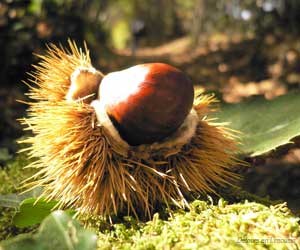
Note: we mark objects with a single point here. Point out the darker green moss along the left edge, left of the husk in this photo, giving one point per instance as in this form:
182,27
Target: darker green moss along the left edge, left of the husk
11,177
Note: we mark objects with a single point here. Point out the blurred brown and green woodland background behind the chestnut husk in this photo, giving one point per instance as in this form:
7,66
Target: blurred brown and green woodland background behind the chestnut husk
235,48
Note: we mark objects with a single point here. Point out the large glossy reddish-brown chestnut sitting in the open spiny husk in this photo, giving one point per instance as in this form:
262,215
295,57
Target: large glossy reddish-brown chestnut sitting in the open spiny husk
147,102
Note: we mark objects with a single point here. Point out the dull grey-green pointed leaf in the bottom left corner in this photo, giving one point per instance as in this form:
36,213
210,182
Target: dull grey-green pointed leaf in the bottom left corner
57,231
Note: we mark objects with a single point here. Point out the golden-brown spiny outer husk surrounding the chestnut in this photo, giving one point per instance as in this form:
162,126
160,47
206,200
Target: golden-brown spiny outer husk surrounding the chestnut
78,163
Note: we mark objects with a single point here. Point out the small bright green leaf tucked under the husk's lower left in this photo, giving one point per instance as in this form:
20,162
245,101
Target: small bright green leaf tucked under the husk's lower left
33,211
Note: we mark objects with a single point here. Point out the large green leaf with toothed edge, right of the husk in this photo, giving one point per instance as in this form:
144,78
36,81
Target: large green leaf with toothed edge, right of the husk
265,125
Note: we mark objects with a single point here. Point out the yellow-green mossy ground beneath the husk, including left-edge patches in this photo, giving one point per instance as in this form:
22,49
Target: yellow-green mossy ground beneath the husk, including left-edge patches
241,225
